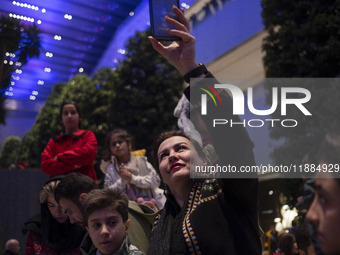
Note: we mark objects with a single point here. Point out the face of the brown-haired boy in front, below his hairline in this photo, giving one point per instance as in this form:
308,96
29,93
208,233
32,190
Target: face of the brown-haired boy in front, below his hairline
107,230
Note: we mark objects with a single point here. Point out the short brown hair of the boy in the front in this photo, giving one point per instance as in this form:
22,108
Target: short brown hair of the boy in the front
101,198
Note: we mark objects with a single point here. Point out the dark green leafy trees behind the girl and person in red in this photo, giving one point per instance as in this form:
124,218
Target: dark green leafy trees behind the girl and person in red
140,96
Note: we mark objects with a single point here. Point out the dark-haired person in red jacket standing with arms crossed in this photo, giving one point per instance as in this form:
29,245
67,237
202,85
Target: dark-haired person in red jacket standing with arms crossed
74,150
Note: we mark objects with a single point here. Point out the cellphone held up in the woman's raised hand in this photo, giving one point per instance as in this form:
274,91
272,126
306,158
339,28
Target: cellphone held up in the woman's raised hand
159,27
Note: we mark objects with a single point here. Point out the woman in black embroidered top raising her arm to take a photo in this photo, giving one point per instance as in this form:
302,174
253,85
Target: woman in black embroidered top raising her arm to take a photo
203,216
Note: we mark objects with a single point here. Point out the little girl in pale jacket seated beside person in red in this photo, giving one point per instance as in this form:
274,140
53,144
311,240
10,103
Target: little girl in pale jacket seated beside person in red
131,173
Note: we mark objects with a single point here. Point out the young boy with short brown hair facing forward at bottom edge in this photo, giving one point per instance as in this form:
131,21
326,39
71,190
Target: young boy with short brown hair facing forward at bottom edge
106,219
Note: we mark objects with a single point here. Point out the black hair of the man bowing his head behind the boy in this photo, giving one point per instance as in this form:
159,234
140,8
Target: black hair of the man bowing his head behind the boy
72,186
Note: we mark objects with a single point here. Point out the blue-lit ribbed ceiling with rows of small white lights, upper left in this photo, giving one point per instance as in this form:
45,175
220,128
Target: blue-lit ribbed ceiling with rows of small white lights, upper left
74,35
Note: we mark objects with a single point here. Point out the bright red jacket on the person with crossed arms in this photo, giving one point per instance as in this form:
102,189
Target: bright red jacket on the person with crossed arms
77,149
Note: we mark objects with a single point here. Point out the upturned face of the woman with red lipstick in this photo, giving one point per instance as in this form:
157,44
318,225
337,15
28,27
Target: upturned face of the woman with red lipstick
174,161
